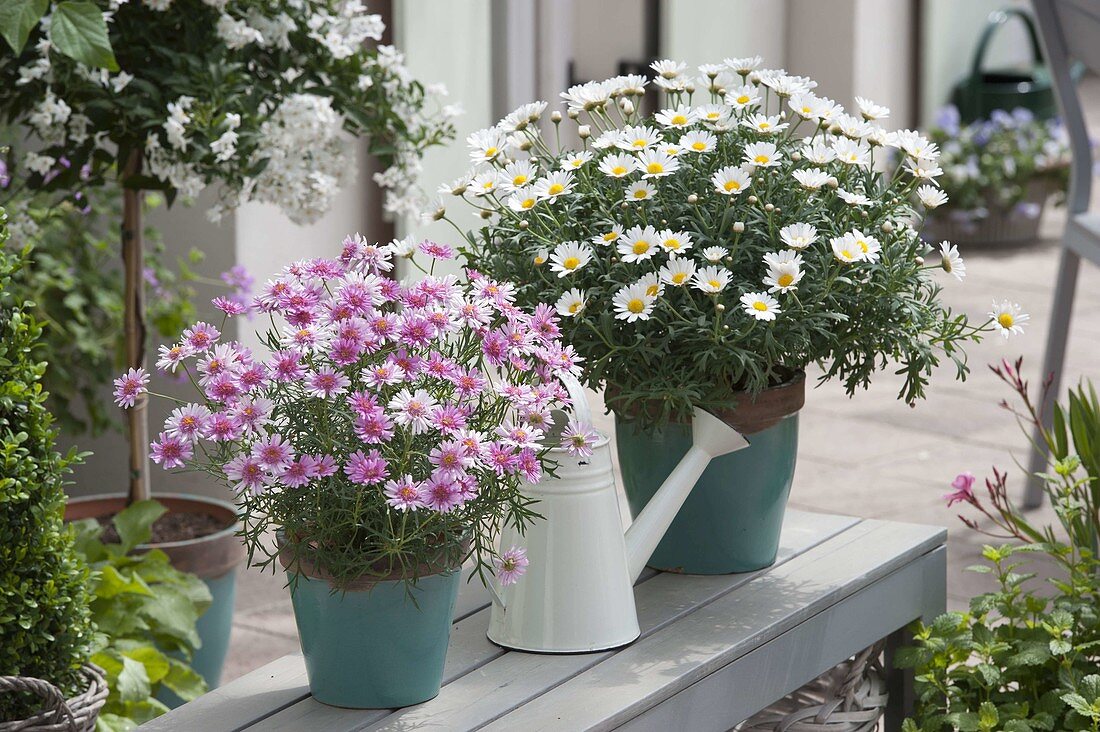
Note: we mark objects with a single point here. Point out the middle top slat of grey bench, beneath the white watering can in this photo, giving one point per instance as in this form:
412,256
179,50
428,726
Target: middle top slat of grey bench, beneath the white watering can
514,679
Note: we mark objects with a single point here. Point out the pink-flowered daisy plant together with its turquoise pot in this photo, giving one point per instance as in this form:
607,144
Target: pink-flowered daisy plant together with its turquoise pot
380,443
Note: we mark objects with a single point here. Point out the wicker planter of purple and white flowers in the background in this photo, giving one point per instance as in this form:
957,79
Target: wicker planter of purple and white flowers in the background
1004,226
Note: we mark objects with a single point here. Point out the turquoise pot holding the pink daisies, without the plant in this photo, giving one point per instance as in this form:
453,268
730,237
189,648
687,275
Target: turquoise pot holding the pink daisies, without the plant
376,649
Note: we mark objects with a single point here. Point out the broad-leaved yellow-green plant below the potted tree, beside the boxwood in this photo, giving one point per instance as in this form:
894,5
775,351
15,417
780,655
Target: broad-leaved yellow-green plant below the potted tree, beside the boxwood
146,614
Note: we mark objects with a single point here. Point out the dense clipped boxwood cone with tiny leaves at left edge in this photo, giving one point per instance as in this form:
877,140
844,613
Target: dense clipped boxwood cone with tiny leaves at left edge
47,631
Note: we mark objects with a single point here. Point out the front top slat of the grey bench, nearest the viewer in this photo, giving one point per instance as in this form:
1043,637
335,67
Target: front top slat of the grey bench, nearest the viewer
669,661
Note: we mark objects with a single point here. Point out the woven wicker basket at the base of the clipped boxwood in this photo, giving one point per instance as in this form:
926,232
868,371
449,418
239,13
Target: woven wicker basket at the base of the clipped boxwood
59,714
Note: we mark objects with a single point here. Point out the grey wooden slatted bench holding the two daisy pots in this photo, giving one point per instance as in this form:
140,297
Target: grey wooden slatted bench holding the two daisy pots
713,650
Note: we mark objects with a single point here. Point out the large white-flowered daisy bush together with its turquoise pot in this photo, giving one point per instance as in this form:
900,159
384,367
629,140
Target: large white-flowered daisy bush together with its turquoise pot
706,257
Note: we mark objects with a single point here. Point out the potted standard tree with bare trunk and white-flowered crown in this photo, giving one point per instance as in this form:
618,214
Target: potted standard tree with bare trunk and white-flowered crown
180,96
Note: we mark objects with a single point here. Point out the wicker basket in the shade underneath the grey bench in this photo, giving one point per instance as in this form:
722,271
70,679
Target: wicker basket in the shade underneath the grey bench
850,698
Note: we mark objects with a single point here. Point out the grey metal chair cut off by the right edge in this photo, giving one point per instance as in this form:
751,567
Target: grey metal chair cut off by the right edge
1071,31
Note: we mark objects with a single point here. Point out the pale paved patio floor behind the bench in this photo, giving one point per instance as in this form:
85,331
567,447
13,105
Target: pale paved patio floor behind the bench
870,456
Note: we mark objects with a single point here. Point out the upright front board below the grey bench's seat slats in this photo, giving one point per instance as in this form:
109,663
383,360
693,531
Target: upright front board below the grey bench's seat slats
807,651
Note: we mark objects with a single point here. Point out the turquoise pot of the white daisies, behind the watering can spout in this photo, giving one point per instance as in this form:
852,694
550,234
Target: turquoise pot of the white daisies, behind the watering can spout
732,520
